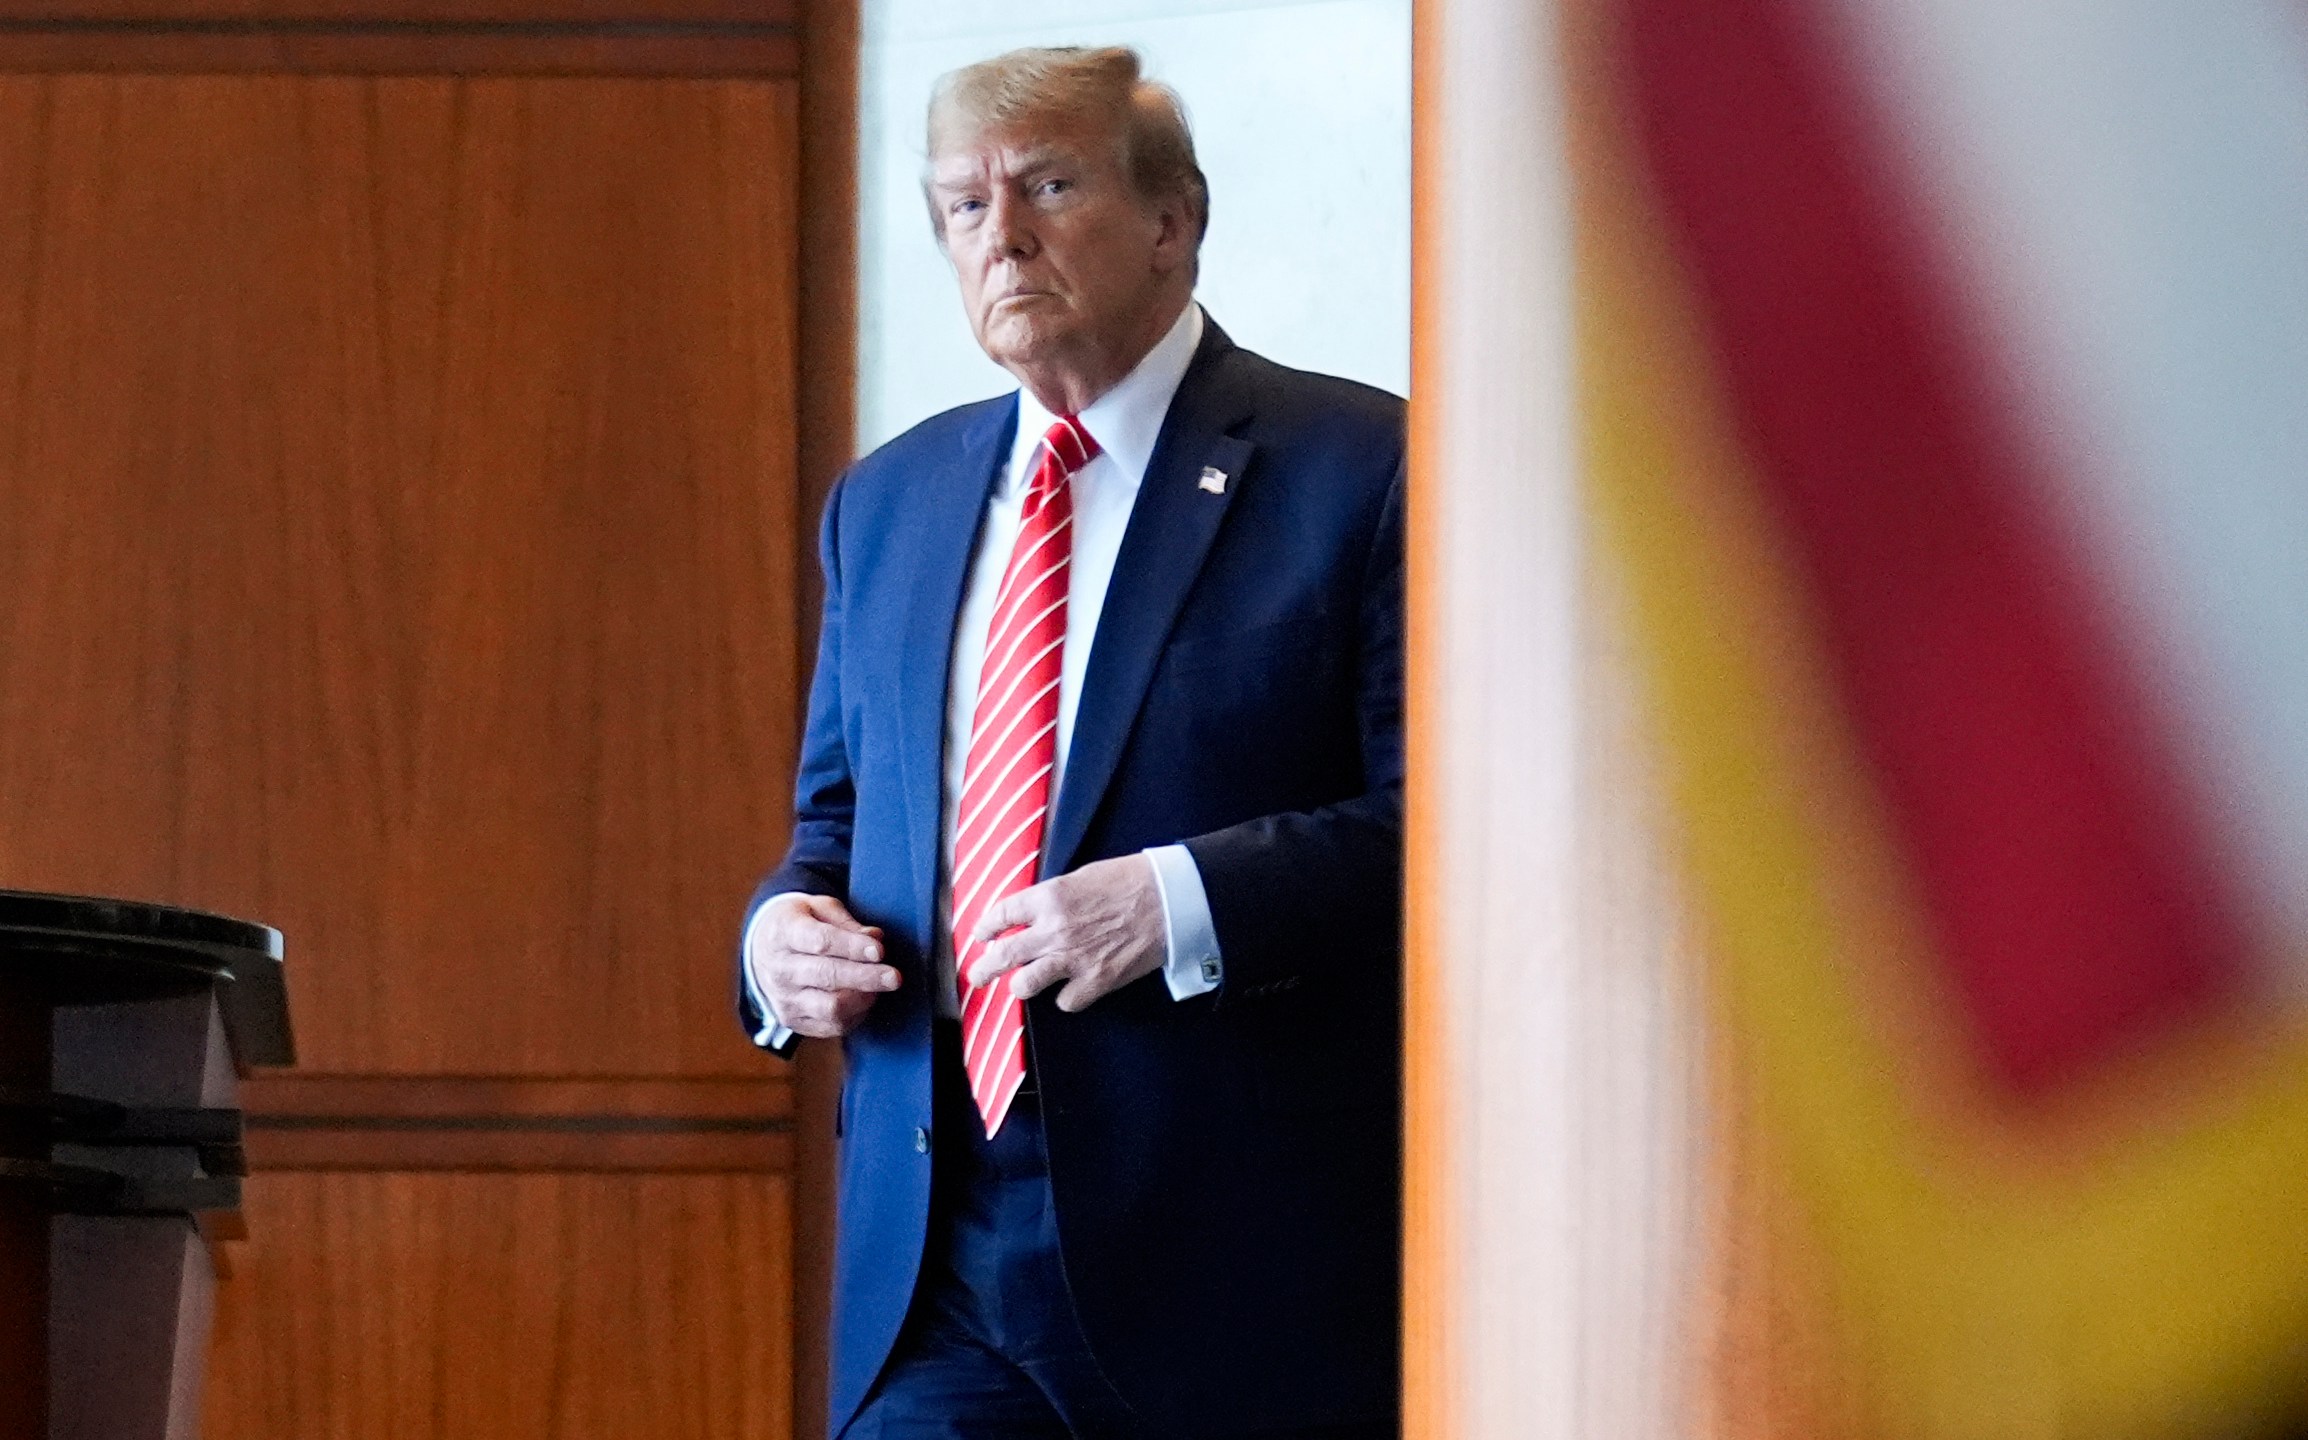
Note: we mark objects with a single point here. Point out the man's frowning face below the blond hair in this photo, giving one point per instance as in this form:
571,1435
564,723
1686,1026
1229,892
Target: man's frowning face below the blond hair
1058,257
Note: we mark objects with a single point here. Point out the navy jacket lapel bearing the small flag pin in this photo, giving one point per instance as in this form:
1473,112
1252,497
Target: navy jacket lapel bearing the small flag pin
1162,550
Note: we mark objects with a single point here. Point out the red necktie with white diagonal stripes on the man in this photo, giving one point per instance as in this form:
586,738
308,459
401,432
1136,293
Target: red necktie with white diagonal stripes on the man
1012,758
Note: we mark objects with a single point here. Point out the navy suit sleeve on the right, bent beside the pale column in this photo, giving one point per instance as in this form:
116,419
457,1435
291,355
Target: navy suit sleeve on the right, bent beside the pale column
1294,897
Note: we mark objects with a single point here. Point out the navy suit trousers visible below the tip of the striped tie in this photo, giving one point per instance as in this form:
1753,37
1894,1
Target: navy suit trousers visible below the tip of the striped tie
991,1347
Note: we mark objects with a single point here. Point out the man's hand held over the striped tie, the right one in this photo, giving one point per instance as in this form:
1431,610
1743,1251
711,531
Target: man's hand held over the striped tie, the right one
1097,931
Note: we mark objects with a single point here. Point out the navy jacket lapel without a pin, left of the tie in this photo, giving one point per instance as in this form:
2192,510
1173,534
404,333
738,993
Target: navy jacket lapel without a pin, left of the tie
952,504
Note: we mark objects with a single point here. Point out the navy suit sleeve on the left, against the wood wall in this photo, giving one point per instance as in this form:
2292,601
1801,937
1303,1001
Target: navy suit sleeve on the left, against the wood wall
825,800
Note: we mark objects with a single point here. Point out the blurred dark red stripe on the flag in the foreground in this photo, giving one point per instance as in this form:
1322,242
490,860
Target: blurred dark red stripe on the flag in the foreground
2074,897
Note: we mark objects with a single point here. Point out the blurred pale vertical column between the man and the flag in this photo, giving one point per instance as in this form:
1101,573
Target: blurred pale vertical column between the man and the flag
1554,1063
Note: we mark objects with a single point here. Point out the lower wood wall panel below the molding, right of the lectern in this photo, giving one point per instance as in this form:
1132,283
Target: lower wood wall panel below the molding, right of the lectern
467,1307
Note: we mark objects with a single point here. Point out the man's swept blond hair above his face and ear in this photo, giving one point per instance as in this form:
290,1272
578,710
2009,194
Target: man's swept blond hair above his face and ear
1107,84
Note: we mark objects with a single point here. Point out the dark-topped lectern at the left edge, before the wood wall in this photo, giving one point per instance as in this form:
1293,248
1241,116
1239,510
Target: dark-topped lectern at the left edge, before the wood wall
123,1030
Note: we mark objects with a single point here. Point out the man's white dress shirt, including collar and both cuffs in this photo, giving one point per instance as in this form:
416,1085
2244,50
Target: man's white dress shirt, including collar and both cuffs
1125,423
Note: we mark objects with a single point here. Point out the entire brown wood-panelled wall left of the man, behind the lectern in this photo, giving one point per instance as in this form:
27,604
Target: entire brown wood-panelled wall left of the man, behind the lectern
400,543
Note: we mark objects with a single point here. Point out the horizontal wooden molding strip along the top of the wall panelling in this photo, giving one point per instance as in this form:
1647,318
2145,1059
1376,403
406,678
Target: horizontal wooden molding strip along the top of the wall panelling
689,50
